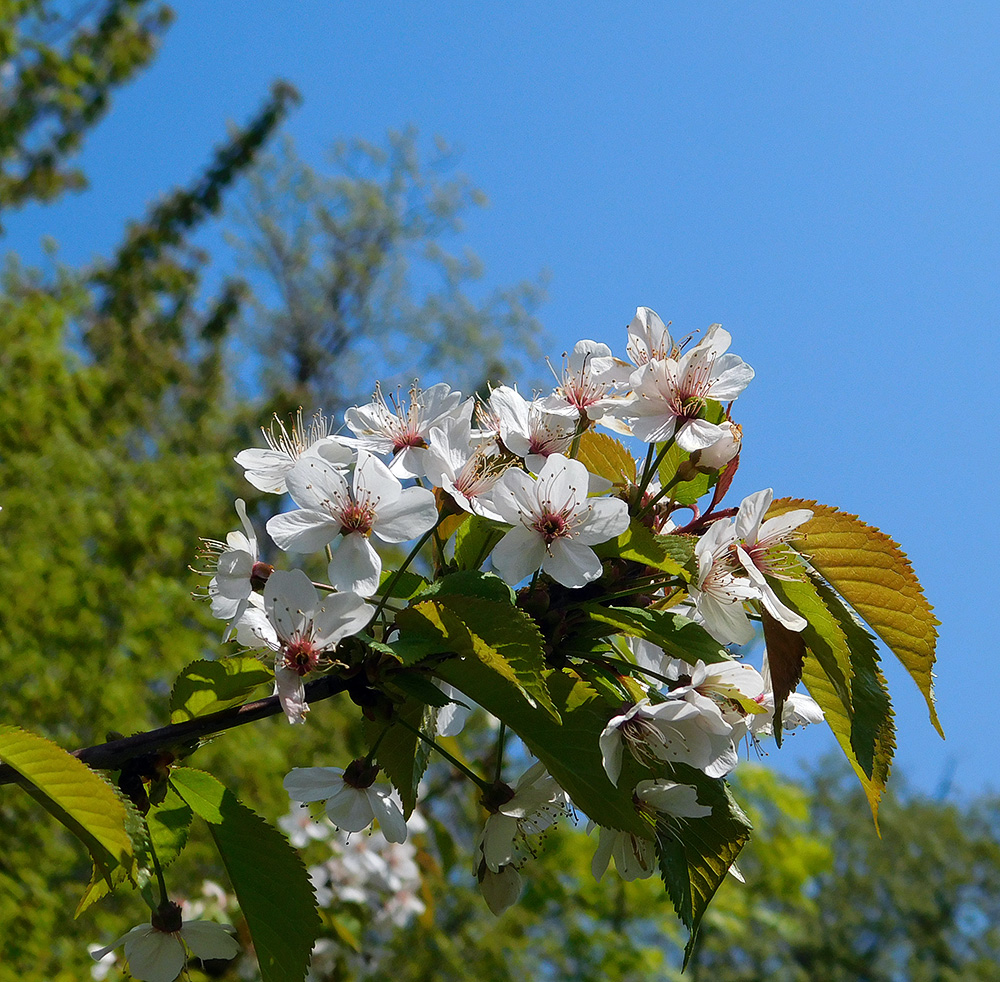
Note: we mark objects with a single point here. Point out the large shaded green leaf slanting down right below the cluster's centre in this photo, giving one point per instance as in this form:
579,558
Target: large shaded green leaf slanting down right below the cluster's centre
570,750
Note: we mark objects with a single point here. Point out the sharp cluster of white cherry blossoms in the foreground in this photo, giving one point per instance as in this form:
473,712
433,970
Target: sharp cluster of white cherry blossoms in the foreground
512,460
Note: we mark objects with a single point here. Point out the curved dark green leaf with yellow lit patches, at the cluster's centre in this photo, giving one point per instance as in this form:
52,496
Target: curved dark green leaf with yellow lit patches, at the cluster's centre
503,638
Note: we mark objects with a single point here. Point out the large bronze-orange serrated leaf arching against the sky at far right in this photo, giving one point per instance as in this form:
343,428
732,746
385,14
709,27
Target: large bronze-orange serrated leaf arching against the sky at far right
872,573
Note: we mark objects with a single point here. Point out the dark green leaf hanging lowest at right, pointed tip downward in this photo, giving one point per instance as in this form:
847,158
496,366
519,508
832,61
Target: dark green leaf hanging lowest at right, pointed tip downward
695,857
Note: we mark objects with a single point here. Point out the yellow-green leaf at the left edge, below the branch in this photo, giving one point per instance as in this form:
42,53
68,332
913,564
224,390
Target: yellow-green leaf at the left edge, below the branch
73,794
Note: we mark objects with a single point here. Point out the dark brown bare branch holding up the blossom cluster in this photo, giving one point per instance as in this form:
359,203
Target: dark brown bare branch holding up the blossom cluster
114,754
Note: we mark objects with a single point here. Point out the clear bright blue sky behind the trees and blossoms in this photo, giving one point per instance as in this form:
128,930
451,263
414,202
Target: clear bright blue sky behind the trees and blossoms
822,179
